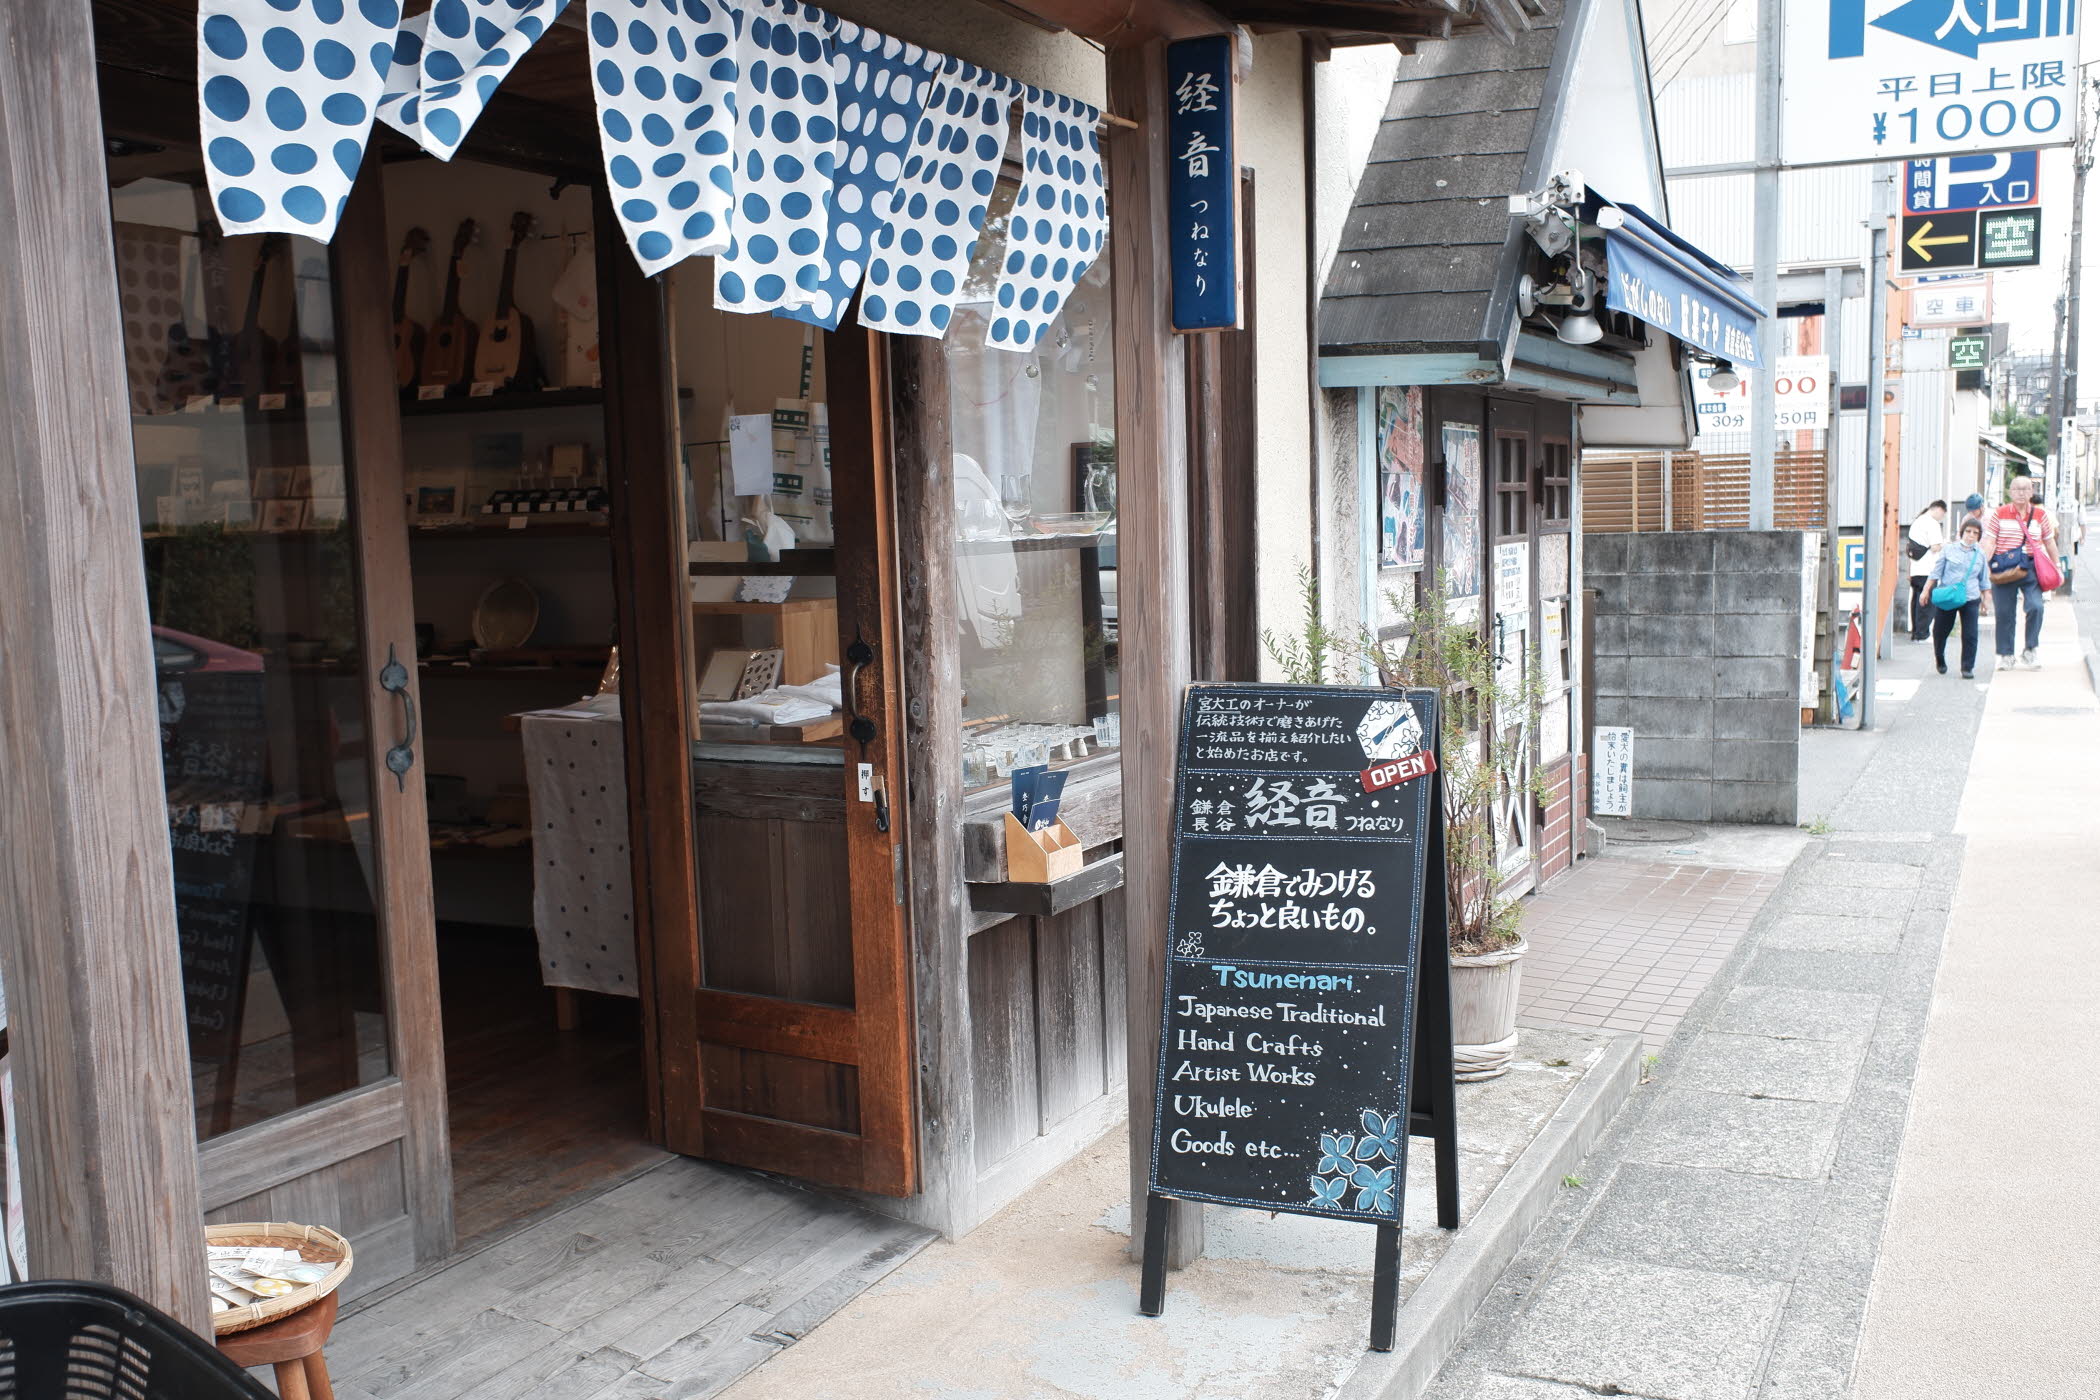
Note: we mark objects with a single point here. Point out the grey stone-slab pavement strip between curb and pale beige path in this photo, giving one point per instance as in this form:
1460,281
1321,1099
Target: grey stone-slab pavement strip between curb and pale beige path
1723,1239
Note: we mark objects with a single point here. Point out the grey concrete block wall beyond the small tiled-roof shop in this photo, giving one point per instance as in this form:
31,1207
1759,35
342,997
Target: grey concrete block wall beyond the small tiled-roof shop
1698,652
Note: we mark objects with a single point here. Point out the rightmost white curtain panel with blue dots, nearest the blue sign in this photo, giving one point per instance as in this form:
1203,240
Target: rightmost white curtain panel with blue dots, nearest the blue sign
1057,224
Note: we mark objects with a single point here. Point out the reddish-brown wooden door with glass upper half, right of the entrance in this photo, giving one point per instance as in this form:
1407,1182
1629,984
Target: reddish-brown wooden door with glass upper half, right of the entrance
782,990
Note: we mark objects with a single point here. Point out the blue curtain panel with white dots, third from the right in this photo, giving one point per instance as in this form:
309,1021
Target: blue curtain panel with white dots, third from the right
881,87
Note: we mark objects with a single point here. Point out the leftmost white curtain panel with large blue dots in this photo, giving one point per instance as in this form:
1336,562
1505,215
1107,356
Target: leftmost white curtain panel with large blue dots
285,106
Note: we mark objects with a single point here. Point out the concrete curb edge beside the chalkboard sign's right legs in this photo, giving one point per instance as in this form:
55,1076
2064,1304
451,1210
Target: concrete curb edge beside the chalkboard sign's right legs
1433,1319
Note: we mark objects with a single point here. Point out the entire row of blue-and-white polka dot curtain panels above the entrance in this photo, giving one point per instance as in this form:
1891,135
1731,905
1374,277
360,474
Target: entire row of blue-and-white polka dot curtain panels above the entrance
814,158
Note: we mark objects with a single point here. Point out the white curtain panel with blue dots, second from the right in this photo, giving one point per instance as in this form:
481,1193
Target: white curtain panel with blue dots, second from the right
938,209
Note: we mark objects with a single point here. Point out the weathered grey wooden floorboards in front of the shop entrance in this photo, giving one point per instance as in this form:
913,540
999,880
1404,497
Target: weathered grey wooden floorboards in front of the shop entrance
677,1281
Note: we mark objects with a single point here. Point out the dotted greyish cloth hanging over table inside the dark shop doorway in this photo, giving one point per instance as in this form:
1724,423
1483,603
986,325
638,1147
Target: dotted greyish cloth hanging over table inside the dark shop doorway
583,891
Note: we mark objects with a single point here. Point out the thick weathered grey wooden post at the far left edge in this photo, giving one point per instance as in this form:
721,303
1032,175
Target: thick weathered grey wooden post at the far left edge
89,954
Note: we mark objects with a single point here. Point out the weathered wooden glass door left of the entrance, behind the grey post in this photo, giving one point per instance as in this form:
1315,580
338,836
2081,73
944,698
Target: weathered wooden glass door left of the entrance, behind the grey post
274,543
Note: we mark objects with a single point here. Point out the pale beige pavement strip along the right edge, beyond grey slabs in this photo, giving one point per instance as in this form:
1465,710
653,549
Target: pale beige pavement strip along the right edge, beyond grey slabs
1988,1284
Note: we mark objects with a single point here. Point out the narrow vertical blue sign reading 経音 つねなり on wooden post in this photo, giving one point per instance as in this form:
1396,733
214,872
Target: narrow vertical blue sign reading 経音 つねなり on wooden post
1202,184
